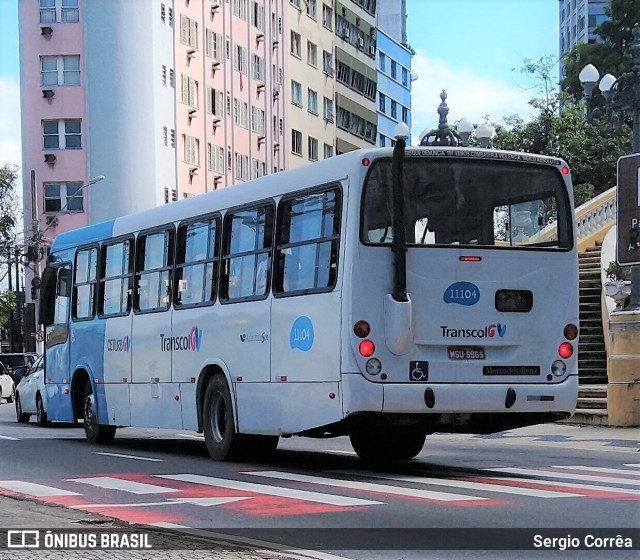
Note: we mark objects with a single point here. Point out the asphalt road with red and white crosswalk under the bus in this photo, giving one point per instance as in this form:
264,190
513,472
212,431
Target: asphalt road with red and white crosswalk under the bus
461,492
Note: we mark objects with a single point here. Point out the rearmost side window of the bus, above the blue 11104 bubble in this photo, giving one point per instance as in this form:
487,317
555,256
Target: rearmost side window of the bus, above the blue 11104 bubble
307,245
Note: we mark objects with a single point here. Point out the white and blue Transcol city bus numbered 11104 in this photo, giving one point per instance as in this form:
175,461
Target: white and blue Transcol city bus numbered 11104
384,294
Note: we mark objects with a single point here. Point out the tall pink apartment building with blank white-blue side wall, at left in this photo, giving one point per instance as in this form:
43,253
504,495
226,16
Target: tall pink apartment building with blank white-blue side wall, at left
165,99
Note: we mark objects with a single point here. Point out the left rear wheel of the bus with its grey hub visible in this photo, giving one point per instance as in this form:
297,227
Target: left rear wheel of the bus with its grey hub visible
219,426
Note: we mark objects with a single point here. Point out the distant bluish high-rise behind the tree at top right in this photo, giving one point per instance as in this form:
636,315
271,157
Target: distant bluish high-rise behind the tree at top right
578,19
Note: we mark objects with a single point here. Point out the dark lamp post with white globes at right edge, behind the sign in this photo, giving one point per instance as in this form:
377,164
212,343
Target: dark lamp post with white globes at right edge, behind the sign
622,97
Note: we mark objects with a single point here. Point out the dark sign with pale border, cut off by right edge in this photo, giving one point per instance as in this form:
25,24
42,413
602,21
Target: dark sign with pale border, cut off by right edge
628,210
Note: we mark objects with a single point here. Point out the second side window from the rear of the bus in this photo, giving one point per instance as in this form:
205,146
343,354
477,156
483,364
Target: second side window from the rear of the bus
247,242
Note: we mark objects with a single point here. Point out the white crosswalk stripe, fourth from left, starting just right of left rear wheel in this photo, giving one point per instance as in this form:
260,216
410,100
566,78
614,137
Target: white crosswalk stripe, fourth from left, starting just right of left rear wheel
367,486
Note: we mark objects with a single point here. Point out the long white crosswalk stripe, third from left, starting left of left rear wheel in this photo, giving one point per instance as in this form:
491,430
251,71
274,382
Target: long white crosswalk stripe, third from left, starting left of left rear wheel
270,490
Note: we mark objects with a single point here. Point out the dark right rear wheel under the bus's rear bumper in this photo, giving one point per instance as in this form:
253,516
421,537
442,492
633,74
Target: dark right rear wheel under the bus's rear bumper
387,445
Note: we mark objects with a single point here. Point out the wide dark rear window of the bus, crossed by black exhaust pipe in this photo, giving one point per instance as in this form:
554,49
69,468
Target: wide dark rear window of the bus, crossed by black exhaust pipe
466,201
